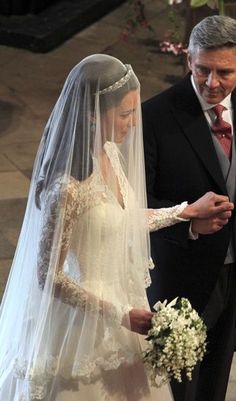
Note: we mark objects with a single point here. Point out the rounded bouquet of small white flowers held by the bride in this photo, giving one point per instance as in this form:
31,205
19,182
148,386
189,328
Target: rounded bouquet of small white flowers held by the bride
176,341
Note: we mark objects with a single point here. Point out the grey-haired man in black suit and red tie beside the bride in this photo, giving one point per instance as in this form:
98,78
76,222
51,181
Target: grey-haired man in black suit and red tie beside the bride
184,159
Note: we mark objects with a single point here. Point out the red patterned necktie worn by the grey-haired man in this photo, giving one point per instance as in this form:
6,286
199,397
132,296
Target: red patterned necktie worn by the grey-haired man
222,130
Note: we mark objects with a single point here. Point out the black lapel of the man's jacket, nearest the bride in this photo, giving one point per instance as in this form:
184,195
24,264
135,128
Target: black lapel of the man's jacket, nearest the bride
190,117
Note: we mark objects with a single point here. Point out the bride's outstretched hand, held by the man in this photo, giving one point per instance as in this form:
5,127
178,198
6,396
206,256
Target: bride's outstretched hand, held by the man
207,206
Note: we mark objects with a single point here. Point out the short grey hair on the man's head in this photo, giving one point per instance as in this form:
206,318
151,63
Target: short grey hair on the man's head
213,32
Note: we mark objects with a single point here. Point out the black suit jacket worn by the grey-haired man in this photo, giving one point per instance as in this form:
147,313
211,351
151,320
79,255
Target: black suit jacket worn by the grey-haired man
181,164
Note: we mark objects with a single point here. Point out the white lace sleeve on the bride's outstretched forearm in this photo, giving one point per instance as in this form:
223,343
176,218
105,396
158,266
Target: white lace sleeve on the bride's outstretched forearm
165,217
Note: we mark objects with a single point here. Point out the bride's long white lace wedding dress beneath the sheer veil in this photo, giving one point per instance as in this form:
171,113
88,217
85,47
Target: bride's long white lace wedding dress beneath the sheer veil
93,361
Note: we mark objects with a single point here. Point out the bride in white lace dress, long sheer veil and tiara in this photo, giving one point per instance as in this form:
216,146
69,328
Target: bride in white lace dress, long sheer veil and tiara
75,310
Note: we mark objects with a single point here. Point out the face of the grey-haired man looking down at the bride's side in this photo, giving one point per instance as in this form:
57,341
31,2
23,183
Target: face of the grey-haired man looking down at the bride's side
214,72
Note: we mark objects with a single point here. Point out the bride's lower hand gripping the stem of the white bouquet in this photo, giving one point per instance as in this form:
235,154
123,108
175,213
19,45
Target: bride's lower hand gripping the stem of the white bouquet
139,320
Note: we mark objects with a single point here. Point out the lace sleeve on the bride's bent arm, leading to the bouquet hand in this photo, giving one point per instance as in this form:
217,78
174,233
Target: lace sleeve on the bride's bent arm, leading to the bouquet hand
66,203
